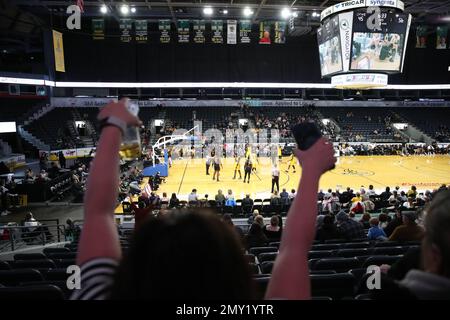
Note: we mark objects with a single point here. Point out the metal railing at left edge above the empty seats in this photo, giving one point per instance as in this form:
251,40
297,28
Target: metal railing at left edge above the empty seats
13,237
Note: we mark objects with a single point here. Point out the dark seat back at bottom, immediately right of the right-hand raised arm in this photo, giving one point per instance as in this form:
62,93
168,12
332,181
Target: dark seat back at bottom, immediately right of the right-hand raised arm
337,285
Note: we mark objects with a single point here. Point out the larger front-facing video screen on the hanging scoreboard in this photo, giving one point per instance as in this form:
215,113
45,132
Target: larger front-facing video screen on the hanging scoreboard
379,48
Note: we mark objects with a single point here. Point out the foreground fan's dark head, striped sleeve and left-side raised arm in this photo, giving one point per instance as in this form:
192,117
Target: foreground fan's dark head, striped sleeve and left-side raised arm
151,267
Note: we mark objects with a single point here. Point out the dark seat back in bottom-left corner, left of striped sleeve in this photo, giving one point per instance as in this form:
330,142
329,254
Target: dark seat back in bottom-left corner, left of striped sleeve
35,292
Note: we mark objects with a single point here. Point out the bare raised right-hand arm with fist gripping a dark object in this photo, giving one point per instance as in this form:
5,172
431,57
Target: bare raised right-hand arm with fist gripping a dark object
290,275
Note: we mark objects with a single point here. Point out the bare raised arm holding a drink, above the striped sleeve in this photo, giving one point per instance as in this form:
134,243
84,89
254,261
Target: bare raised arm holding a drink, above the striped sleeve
99,237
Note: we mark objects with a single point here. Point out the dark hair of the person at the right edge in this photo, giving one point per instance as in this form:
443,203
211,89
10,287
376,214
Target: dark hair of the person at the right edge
437,226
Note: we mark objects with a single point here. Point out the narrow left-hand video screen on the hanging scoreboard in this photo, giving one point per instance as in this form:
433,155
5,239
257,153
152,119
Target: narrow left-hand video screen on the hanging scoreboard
330,47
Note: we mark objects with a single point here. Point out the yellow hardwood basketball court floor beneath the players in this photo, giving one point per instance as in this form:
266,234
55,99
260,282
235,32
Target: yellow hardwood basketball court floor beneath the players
426,172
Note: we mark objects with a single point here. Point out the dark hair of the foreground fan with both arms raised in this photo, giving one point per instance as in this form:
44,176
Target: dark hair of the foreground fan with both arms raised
183,255
